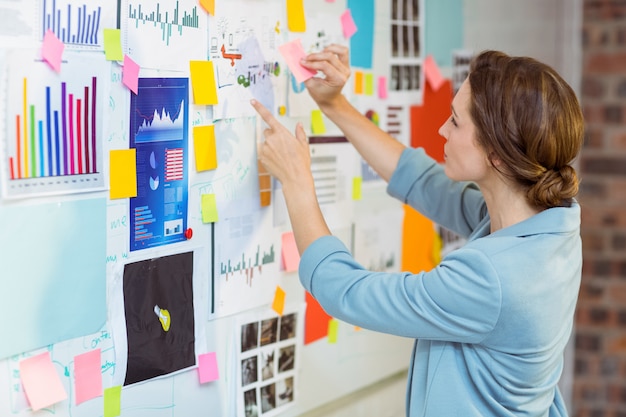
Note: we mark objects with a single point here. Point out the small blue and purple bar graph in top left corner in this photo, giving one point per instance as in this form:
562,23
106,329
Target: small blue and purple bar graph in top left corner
74,25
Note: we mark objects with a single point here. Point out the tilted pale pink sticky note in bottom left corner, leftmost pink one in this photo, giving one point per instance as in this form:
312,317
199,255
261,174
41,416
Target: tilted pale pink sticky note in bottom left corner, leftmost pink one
41,382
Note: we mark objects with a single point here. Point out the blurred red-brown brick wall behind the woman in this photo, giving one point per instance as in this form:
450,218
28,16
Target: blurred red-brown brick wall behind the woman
600,357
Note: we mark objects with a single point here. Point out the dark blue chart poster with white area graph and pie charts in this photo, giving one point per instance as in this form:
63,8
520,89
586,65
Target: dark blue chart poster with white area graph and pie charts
158,131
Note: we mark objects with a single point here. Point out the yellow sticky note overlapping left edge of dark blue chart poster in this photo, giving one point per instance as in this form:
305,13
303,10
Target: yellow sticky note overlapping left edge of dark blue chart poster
123,173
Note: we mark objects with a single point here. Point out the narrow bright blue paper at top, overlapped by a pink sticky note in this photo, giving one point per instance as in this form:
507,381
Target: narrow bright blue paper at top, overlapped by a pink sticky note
362,42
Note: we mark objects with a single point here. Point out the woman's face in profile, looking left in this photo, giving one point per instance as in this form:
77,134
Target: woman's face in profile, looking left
464,159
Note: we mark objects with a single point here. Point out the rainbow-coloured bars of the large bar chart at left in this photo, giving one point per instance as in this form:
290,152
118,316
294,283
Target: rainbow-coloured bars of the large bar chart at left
49,147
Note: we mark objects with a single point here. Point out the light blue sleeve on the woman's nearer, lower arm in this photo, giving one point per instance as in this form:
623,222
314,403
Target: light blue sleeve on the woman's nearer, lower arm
458,301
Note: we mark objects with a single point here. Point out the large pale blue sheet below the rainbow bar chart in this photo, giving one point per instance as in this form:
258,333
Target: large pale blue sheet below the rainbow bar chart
54,272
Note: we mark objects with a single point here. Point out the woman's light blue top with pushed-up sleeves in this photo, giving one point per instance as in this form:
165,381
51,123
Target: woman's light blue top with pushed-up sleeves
491,320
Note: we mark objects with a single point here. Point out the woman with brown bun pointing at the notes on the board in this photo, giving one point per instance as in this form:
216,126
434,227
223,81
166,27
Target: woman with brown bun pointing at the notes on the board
493,318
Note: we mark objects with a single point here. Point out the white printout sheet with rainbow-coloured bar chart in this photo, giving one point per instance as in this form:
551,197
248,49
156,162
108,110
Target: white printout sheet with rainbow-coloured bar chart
53,144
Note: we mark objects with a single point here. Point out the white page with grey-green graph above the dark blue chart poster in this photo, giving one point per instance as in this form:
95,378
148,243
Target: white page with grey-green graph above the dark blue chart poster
164,34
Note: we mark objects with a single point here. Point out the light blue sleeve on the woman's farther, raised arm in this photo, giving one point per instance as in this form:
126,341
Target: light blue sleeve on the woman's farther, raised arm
421,182
